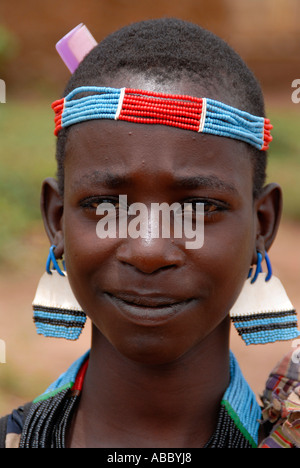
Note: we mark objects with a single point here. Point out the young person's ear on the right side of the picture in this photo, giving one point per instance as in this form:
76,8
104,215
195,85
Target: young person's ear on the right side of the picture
268,211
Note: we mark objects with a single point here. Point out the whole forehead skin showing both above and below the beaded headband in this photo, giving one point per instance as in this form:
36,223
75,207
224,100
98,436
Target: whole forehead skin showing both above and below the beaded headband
155,152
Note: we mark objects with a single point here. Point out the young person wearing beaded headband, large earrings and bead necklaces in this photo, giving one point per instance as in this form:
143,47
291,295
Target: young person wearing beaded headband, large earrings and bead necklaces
133,122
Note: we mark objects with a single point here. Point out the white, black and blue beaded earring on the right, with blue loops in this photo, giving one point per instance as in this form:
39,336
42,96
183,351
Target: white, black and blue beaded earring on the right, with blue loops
263,312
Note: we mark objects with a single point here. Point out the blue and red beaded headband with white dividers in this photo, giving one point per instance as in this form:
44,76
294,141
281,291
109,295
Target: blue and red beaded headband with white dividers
144,107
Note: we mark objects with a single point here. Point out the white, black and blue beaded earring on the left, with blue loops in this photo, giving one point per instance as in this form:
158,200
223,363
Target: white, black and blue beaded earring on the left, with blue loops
56,311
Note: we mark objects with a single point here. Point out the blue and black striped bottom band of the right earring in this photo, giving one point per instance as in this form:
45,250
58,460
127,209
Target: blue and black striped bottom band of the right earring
267,327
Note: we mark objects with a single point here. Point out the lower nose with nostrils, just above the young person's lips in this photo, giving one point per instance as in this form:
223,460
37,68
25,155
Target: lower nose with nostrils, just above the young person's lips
151,256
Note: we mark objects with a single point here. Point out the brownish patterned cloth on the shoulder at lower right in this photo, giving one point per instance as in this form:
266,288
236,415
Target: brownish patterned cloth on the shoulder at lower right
281,403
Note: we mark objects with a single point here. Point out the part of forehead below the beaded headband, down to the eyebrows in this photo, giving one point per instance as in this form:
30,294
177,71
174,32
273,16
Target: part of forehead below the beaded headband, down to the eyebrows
145,155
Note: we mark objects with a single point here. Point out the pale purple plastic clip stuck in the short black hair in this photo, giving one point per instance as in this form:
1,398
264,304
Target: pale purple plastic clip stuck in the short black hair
75,45
